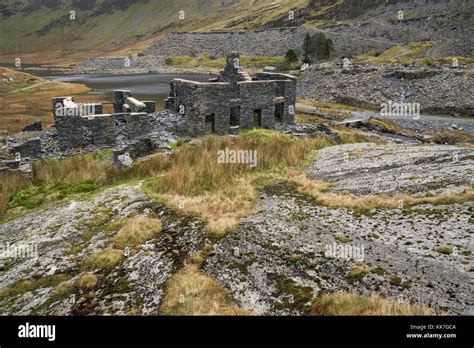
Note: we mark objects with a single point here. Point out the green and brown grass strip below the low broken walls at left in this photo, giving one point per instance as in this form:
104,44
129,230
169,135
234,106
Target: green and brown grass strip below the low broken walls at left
55,180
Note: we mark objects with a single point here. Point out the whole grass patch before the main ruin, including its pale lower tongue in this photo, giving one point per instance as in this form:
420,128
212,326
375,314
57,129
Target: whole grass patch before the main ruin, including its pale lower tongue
222,193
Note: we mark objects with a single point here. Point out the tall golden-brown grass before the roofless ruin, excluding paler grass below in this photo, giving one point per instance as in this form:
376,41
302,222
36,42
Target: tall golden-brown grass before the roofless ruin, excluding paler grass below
194,169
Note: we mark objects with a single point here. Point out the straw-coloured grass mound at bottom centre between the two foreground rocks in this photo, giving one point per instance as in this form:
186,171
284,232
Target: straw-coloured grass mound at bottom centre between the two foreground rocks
191,292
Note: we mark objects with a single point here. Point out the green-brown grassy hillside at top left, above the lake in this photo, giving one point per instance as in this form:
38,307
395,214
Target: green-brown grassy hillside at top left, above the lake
105,25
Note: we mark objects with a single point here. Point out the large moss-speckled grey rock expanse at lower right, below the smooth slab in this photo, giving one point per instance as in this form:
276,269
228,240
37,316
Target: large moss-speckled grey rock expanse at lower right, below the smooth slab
277,260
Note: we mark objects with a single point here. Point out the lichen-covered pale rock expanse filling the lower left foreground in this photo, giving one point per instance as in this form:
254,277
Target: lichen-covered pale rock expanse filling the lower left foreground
65,235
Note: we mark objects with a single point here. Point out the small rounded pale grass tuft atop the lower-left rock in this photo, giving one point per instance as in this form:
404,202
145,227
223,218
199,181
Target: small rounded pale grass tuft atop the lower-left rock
137,230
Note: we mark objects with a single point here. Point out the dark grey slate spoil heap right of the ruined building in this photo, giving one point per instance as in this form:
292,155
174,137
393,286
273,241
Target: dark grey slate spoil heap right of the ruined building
444,90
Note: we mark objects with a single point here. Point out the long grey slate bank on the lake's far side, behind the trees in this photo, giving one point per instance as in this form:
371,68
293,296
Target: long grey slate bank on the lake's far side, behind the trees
264,43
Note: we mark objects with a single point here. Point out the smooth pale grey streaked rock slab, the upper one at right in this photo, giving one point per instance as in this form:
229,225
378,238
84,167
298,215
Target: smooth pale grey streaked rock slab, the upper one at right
390,169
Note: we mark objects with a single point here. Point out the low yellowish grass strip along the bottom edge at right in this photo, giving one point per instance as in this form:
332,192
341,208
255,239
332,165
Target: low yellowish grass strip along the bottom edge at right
341,303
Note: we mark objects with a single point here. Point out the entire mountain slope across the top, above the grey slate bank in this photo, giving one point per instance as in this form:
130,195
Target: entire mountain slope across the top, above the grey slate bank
120,27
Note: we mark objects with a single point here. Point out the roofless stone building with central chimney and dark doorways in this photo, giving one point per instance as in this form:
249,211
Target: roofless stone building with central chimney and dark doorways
234,100
